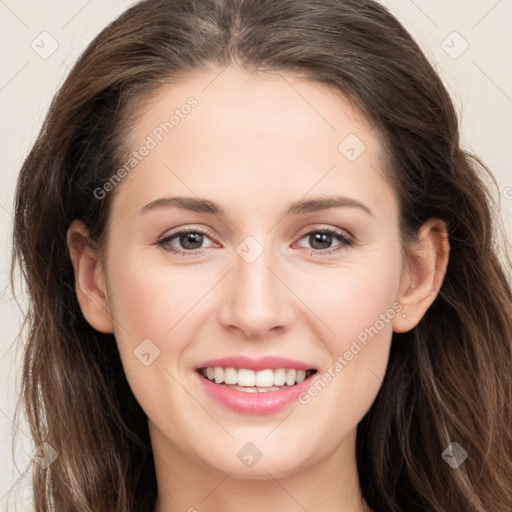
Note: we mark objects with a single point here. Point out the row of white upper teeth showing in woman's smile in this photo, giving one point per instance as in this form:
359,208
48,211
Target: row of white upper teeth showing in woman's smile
255,381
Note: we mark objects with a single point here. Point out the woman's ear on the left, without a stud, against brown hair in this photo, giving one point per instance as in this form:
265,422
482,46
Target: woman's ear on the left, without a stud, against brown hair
90,285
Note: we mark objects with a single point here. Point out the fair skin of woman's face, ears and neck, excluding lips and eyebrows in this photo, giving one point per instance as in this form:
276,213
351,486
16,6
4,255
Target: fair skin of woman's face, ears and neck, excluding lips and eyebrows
254,144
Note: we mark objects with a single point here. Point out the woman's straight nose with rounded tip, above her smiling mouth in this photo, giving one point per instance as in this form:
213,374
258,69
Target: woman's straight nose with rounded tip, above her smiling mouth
257,300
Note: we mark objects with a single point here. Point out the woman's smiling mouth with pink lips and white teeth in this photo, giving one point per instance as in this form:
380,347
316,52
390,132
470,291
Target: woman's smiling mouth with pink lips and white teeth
250,386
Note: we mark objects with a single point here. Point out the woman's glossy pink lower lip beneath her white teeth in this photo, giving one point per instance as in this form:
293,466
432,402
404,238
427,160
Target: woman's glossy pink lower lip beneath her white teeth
254,403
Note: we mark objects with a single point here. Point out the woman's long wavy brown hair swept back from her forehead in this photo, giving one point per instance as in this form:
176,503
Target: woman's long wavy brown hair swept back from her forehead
447,380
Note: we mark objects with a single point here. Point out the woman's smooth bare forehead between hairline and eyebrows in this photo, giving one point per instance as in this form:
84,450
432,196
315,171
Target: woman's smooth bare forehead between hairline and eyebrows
228,133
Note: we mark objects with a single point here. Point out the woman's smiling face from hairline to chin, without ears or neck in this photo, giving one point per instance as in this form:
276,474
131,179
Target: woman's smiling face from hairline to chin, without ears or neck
263,282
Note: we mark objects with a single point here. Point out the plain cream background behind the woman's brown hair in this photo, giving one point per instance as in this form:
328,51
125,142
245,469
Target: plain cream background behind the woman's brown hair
469,43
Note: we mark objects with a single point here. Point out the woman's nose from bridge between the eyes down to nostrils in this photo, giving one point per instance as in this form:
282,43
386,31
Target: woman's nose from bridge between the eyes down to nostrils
256,298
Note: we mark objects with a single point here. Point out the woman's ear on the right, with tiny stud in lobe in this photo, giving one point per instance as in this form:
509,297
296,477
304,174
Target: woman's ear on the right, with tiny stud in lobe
423,274
